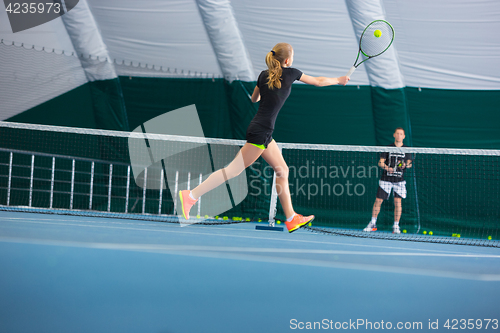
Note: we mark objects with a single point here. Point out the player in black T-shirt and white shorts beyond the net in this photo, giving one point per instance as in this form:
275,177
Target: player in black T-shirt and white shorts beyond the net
394,165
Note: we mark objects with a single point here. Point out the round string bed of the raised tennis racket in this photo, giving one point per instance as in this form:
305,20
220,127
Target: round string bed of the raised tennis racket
370,44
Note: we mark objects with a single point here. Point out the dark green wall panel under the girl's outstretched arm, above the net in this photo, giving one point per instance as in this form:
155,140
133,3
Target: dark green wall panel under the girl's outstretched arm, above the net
330,115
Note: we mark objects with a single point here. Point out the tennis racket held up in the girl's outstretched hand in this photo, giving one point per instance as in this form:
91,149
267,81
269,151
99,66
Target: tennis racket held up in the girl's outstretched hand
375,40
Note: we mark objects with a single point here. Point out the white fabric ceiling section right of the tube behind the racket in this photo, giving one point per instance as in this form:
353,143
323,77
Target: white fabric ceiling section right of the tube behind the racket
447,44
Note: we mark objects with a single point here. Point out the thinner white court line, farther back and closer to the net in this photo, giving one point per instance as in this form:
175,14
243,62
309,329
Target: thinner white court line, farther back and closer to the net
105,224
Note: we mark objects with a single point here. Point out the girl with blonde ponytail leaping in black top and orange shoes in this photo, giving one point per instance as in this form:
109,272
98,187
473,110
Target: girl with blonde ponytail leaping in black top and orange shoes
273,88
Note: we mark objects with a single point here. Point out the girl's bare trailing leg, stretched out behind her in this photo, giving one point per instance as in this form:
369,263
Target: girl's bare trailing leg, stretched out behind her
245,157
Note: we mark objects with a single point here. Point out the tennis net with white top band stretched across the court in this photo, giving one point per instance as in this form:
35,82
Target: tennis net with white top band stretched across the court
452,195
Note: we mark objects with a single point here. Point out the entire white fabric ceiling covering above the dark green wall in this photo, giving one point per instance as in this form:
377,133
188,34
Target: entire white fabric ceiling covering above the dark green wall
442,44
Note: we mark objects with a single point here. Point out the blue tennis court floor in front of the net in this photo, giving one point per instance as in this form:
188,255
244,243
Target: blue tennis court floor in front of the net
84,274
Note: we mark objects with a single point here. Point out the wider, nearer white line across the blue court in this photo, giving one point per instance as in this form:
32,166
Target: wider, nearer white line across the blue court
226,253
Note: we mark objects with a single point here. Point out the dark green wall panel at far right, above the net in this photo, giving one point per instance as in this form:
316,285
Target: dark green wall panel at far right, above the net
454,118
